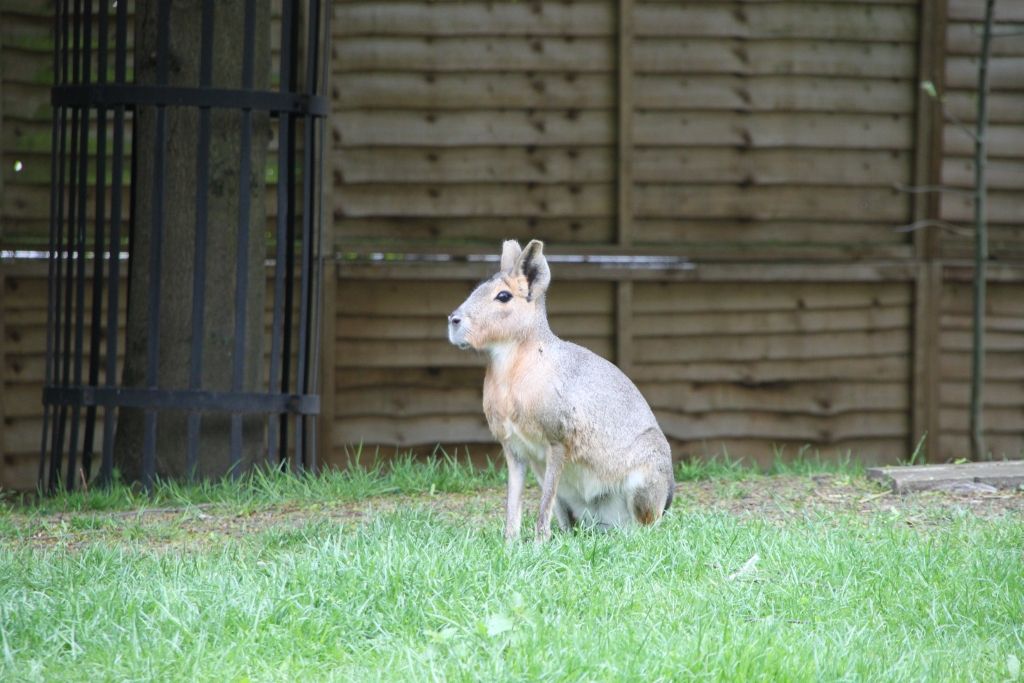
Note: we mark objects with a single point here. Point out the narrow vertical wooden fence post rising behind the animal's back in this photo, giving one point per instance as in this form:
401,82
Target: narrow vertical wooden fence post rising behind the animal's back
624,159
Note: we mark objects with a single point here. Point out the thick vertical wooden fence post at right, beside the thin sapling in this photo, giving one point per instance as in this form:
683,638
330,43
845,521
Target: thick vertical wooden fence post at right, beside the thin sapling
928,284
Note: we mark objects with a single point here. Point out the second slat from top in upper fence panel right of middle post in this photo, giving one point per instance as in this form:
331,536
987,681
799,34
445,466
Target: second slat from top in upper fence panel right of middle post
809,58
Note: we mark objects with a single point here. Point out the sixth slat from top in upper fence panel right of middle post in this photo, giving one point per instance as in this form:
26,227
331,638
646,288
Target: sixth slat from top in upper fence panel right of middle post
785,203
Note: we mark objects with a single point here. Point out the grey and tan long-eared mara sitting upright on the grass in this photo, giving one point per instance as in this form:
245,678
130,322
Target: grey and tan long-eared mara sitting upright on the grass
566,413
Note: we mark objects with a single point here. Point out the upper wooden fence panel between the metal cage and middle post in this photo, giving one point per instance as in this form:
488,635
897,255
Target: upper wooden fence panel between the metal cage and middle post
468,122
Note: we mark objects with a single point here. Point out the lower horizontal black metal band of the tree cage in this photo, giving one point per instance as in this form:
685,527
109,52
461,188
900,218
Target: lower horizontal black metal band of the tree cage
204,402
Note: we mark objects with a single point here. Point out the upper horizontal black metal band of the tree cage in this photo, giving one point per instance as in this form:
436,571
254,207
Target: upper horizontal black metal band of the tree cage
151,96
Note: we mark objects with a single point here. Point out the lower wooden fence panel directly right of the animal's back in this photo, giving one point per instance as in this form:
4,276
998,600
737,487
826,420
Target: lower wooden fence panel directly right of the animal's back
741,366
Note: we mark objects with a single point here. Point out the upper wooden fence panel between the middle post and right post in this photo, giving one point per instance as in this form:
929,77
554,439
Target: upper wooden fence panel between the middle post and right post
740,105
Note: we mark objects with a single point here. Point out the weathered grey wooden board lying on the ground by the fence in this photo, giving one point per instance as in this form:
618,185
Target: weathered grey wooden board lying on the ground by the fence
1007,475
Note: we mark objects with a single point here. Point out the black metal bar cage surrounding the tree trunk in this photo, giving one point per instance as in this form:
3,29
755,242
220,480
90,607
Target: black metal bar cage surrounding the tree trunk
95,138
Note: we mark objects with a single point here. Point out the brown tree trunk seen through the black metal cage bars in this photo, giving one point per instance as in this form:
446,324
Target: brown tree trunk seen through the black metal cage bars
178,268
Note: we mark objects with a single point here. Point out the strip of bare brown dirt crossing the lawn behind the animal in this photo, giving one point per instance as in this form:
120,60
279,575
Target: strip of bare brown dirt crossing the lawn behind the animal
776,499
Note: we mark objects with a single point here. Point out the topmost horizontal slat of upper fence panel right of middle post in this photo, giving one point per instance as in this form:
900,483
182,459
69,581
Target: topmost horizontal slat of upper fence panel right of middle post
783,20
